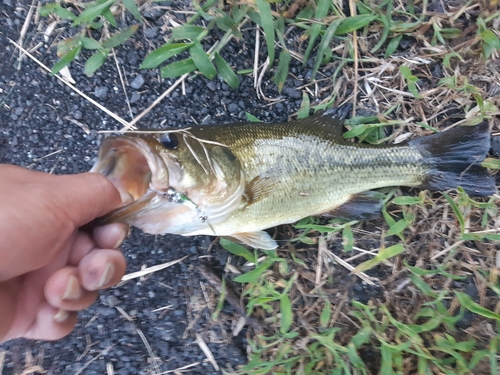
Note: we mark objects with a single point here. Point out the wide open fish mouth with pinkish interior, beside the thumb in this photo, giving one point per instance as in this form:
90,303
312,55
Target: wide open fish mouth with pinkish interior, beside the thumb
133,168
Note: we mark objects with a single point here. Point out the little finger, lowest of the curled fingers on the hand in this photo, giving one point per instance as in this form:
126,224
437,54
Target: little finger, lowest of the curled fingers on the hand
51,323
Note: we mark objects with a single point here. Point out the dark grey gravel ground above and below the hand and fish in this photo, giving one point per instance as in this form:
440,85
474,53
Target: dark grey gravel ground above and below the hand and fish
39,130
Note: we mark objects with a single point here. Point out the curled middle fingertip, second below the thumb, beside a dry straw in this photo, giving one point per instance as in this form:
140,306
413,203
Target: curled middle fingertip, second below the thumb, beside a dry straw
101,269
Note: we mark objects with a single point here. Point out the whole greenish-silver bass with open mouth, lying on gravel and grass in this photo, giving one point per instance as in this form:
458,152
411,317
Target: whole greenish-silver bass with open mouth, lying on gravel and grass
237,180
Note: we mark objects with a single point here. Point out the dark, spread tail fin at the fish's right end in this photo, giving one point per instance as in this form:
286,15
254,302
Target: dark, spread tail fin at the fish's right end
455,157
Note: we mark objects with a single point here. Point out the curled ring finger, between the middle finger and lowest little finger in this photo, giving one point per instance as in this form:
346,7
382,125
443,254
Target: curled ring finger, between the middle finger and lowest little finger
63,290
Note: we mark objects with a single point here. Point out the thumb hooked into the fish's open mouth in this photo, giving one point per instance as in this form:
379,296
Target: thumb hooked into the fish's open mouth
86,196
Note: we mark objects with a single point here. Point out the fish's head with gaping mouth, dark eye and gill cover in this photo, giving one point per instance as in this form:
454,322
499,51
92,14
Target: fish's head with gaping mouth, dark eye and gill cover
171,182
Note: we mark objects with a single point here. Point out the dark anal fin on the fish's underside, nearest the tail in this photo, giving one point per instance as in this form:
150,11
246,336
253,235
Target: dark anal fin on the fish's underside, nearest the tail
362,206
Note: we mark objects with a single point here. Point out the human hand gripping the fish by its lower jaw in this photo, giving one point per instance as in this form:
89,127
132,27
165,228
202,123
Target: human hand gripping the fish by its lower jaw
49,266
